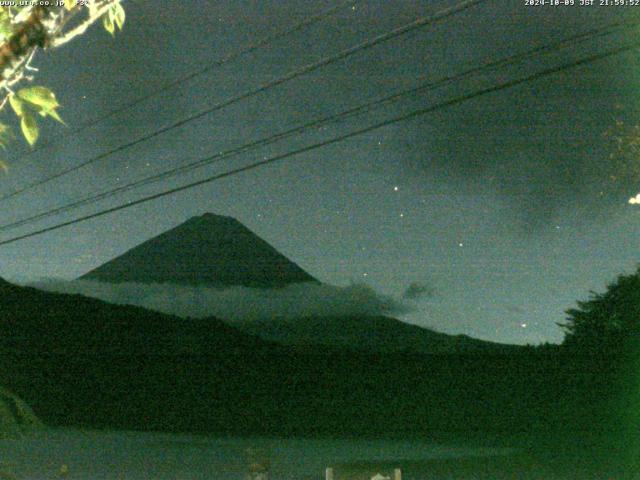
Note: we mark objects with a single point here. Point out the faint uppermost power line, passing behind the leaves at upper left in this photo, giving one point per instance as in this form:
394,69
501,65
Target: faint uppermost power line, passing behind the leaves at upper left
196,73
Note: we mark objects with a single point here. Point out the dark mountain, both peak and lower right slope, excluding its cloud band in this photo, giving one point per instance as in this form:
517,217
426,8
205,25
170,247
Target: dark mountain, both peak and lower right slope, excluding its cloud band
218,251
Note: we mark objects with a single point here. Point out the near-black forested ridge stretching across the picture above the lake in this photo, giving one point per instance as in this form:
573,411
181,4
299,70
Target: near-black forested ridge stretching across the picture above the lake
83,362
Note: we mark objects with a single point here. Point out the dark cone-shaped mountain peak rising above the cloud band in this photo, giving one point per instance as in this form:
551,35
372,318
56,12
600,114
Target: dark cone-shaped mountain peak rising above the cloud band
209,250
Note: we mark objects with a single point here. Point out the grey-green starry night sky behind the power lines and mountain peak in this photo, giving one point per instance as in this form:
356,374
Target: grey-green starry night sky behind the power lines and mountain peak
507,207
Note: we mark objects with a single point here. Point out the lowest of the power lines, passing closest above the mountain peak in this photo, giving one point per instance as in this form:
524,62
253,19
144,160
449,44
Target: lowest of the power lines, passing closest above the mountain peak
404,117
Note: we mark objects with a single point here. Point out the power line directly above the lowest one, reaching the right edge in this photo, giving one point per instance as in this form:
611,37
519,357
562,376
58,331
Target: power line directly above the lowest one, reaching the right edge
512,59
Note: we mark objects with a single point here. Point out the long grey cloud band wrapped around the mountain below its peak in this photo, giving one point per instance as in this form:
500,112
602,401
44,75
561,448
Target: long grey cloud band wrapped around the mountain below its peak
238,303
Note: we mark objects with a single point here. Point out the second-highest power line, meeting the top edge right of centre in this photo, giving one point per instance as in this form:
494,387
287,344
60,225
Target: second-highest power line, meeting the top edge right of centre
421,22
